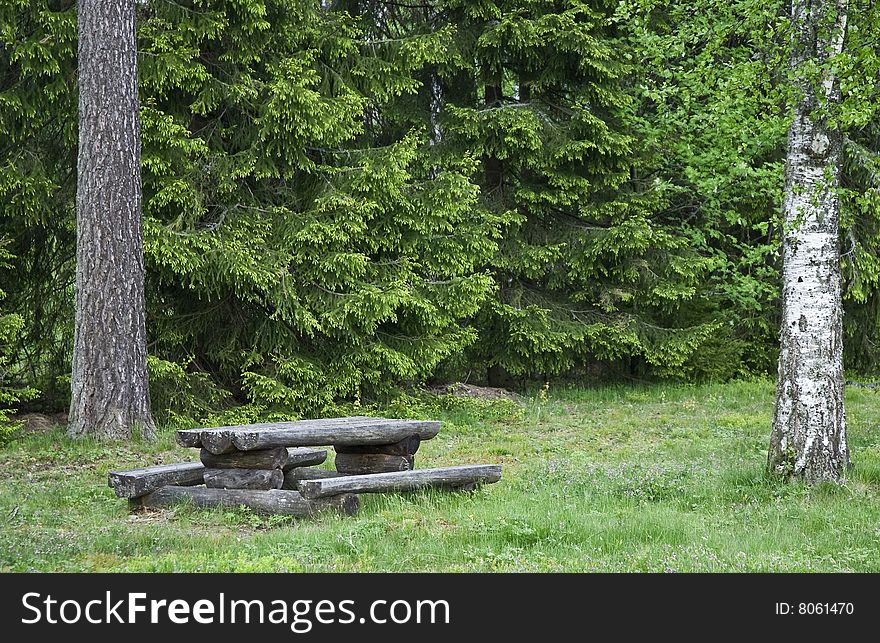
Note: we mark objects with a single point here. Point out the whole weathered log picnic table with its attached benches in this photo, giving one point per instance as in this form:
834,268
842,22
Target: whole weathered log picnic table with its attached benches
271,467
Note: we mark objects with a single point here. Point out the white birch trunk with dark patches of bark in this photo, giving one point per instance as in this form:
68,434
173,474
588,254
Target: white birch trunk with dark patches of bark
809,427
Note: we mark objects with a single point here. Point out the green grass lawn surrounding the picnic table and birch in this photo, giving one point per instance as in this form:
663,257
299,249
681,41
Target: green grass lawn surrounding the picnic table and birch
653,479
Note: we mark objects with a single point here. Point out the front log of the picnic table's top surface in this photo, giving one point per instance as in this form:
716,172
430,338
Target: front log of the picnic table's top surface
379,431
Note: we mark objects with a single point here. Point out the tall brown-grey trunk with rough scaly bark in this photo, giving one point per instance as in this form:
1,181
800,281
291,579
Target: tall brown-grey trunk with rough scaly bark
109,390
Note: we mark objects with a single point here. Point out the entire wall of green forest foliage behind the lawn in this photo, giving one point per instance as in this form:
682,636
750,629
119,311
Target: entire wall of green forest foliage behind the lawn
342,200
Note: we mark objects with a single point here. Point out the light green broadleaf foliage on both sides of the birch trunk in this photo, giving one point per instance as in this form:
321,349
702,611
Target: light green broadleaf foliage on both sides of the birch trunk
715,103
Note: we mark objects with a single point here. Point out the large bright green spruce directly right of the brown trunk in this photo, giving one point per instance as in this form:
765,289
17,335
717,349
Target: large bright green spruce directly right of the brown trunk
337,260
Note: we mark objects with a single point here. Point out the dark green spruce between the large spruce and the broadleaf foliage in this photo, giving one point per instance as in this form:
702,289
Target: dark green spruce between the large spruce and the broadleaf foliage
586,271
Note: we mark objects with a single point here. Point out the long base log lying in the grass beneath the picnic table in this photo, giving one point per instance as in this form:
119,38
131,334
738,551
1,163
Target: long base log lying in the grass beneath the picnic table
276,501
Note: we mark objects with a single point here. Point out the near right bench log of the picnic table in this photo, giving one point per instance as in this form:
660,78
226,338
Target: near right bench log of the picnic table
402,480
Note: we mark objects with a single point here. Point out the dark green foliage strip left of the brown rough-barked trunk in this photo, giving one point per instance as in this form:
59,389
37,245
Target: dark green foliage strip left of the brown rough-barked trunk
38,131
